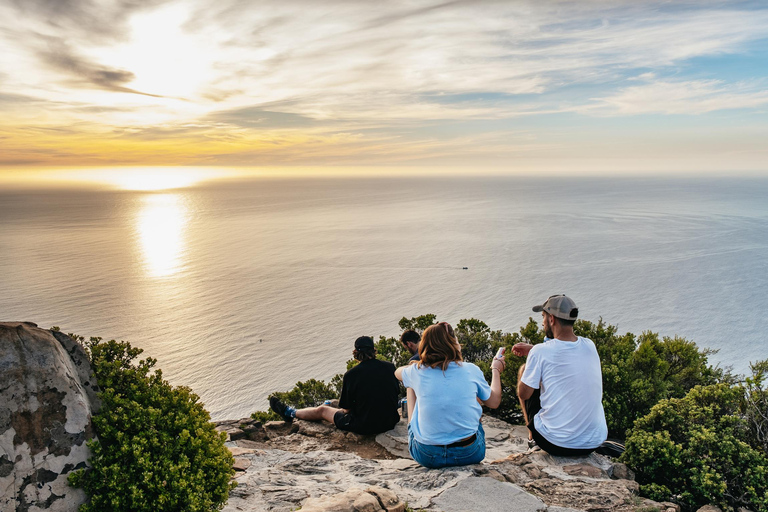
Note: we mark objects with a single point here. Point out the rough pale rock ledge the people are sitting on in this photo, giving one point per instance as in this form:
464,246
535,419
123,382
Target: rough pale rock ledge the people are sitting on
317,466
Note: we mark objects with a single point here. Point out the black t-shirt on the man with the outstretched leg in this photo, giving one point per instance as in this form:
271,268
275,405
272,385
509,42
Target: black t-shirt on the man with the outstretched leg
370,392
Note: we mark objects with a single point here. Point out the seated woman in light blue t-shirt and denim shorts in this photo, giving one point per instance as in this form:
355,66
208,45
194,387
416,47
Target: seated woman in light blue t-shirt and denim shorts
444,401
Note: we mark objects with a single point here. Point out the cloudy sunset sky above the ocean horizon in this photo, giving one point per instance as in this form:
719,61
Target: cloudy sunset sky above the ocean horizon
603,86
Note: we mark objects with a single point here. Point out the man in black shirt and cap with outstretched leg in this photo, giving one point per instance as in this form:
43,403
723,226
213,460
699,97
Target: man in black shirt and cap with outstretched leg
369,394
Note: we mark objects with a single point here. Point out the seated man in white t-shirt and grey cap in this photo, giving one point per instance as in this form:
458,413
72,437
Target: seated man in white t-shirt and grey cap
560,387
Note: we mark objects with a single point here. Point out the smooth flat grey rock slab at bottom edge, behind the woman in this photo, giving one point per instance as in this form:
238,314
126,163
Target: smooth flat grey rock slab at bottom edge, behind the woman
482,494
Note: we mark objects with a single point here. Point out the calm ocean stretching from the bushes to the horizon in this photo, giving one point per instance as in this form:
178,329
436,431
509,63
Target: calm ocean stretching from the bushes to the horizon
244,288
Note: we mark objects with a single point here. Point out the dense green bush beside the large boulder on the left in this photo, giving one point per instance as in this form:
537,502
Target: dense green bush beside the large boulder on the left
157,449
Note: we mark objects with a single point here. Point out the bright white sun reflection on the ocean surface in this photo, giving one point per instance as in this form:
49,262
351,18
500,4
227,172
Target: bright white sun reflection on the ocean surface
161,224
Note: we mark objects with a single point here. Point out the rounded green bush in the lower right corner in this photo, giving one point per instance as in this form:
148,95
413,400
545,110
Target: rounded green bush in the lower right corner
695,450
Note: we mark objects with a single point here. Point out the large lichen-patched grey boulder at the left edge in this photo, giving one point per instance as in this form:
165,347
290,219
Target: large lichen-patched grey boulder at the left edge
47,398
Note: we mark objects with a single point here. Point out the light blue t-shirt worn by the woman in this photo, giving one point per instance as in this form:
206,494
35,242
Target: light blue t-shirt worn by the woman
446,402
